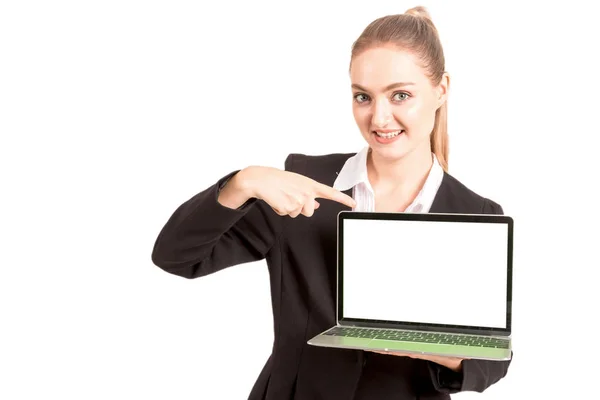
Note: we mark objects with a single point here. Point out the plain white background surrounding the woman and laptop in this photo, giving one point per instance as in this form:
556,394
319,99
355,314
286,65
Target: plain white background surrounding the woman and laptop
112,113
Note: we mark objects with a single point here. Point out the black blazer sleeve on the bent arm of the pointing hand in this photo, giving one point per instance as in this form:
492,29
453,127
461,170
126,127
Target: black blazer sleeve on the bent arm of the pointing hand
202,236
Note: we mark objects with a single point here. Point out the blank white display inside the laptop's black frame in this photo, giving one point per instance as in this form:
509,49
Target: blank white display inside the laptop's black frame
452,273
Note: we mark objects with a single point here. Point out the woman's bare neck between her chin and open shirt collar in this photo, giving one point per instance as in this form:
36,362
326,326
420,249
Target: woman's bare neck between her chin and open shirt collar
406,174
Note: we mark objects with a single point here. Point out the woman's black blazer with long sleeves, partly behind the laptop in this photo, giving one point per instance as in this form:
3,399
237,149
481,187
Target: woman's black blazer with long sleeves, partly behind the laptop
203,237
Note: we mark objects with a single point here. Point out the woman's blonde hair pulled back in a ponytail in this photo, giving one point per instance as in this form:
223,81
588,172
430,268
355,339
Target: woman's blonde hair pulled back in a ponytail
414,31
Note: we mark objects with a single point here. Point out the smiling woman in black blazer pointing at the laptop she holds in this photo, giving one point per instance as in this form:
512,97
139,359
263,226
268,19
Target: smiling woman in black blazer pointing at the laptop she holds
399,103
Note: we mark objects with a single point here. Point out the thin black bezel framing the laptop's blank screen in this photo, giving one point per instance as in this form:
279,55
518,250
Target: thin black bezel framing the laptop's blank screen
436,217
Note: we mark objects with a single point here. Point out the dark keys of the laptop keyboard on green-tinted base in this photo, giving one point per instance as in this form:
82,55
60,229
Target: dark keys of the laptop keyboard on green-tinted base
424,337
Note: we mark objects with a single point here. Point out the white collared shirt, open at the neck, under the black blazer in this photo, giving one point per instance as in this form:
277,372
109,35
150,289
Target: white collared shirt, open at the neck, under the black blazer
354,176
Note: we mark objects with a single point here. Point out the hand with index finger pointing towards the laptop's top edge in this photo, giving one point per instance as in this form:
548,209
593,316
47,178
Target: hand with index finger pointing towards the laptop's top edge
288,193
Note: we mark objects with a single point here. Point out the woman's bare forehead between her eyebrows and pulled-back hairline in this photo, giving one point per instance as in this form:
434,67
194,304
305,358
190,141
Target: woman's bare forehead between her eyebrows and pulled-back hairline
378,67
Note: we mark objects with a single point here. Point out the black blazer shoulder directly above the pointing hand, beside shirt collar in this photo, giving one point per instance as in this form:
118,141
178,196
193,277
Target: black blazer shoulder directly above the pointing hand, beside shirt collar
321,167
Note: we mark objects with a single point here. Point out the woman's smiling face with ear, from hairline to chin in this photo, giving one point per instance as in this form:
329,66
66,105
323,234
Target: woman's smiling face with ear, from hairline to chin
394,102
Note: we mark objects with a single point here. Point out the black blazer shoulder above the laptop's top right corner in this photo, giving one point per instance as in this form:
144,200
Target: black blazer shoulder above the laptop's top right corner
462,198
